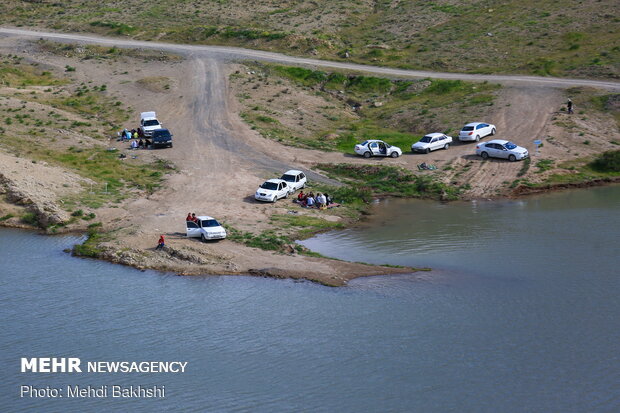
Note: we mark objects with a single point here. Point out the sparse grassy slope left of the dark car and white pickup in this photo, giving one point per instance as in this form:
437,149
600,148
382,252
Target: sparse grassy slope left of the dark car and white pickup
61,124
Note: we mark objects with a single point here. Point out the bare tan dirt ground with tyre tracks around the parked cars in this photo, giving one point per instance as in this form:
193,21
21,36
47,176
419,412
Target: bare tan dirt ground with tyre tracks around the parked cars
221,161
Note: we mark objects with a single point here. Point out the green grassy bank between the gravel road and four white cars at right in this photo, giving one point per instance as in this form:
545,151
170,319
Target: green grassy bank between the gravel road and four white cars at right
397,111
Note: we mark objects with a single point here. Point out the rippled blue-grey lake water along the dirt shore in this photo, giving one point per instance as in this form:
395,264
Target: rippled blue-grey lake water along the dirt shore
520,314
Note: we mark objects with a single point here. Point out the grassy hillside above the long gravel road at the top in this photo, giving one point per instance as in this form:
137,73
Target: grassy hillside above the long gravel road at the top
538,37
